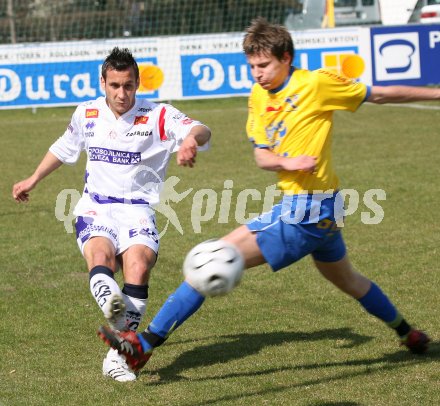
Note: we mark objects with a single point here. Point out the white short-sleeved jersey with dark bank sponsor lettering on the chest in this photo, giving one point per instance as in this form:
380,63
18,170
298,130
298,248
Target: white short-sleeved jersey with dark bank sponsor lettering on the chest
127,157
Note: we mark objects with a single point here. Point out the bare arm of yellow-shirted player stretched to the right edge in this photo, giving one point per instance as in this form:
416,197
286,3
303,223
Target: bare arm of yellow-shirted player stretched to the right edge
402,94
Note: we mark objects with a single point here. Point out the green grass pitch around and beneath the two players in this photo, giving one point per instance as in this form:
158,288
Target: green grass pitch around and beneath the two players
288,338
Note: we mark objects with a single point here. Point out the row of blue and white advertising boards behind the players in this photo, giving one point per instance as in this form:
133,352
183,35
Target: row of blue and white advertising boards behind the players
212,65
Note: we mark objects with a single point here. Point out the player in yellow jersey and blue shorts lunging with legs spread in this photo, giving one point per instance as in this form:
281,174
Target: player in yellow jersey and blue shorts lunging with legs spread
290,125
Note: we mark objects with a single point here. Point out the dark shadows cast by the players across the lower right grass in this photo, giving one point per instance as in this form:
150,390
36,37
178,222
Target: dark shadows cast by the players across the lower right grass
233,347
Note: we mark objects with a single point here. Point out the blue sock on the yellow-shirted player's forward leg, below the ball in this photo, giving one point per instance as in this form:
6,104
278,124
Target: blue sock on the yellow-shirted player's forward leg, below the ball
178,307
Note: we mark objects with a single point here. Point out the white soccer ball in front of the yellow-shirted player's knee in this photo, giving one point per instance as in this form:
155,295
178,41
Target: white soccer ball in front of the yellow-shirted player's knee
213,267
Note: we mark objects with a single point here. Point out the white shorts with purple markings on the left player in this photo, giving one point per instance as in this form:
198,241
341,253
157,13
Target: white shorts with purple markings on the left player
123,224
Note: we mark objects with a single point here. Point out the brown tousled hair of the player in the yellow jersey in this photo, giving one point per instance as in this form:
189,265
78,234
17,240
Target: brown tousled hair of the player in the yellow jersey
264,38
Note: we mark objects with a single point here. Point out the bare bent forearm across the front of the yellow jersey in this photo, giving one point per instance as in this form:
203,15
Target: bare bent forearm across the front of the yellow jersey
269,161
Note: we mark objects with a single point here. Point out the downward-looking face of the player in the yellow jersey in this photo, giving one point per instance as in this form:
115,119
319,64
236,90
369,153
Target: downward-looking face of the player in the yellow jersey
268,71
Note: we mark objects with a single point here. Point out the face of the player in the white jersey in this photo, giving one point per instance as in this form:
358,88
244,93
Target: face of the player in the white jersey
120,90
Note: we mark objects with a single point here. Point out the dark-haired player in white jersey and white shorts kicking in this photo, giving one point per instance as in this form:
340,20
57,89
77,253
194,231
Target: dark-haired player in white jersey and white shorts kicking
128,142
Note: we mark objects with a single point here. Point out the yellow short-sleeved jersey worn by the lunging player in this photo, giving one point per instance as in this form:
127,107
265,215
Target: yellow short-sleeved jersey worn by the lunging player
297,119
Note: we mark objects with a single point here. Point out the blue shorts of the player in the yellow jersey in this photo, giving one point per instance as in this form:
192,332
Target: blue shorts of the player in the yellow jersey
282,242
